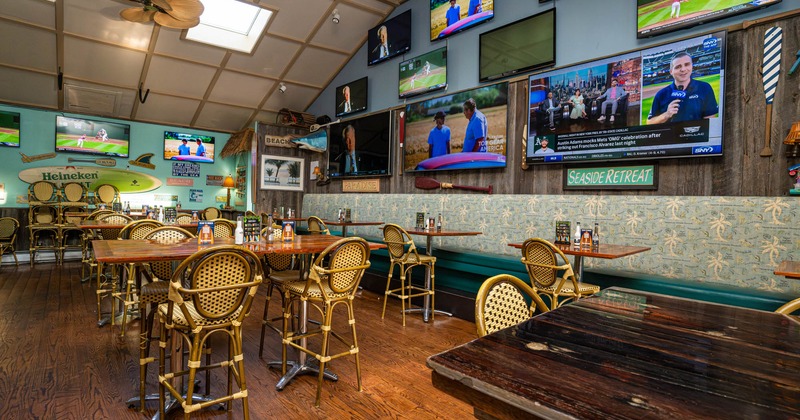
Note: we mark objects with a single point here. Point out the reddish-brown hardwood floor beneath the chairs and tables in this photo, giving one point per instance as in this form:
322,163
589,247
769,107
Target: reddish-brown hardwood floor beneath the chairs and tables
55,363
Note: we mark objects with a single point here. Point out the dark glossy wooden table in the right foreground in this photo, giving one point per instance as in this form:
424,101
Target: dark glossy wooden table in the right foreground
627,354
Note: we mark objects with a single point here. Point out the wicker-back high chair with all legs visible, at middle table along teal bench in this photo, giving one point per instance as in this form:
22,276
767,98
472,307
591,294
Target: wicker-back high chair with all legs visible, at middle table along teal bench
403,253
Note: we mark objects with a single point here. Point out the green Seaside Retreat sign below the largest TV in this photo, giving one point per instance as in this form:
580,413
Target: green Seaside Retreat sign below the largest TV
611,177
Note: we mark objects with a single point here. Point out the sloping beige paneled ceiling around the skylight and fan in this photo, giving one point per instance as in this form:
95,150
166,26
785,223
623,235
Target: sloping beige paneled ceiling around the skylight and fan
79,56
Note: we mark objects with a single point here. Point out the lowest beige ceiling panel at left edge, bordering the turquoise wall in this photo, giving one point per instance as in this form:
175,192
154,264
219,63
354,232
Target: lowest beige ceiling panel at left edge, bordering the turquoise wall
28,88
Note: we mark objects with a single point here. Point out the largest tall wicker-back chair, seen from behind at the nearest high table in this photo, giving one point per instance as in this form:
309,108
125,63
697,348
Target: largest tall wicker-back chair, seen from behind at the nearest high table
222,282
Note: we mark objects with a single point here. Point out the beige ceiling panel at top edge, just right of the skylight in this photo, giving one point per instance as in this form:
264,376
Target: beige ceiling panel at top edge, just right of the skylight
294,20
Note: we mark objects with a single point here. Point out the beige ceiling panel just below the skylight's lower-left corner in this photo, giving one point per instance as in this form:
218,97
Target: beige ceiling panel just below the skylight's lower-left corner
179,77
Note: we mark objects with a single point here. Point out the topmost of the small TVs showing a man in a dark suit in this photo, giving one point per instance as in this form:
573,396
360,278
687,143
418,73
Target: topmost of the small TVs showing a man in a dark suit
389,39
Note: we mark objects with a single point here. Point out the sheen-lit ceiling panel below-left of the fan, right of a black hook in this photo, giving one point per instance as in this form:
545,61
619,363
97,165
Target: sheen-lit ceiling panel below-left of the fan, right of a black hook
102,63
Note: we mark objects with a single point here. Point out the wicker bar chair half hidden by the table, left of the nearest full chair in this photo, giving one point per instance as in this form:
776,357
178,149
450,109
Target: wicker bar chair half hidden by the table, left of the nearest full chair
151,295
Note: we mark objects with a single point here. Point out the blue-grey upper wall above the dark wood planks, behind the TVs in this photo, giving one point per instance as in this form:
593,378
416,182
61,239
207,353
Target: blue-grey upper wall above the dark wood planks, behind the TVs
587,29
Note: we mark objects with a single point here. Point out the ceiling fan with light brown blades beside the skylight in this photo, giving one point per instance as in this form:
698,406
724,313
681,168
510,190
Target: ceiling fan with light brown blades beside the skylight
178,14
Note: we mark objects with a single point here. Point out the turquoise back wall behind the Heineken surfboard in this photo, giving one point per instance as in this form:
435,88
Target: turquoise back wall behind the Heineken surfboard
37,136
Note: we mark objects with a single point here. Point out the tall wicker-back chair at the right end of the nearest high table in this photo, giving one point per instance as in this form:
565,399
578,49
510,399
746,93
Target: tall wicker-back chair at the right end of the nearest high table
333,279
